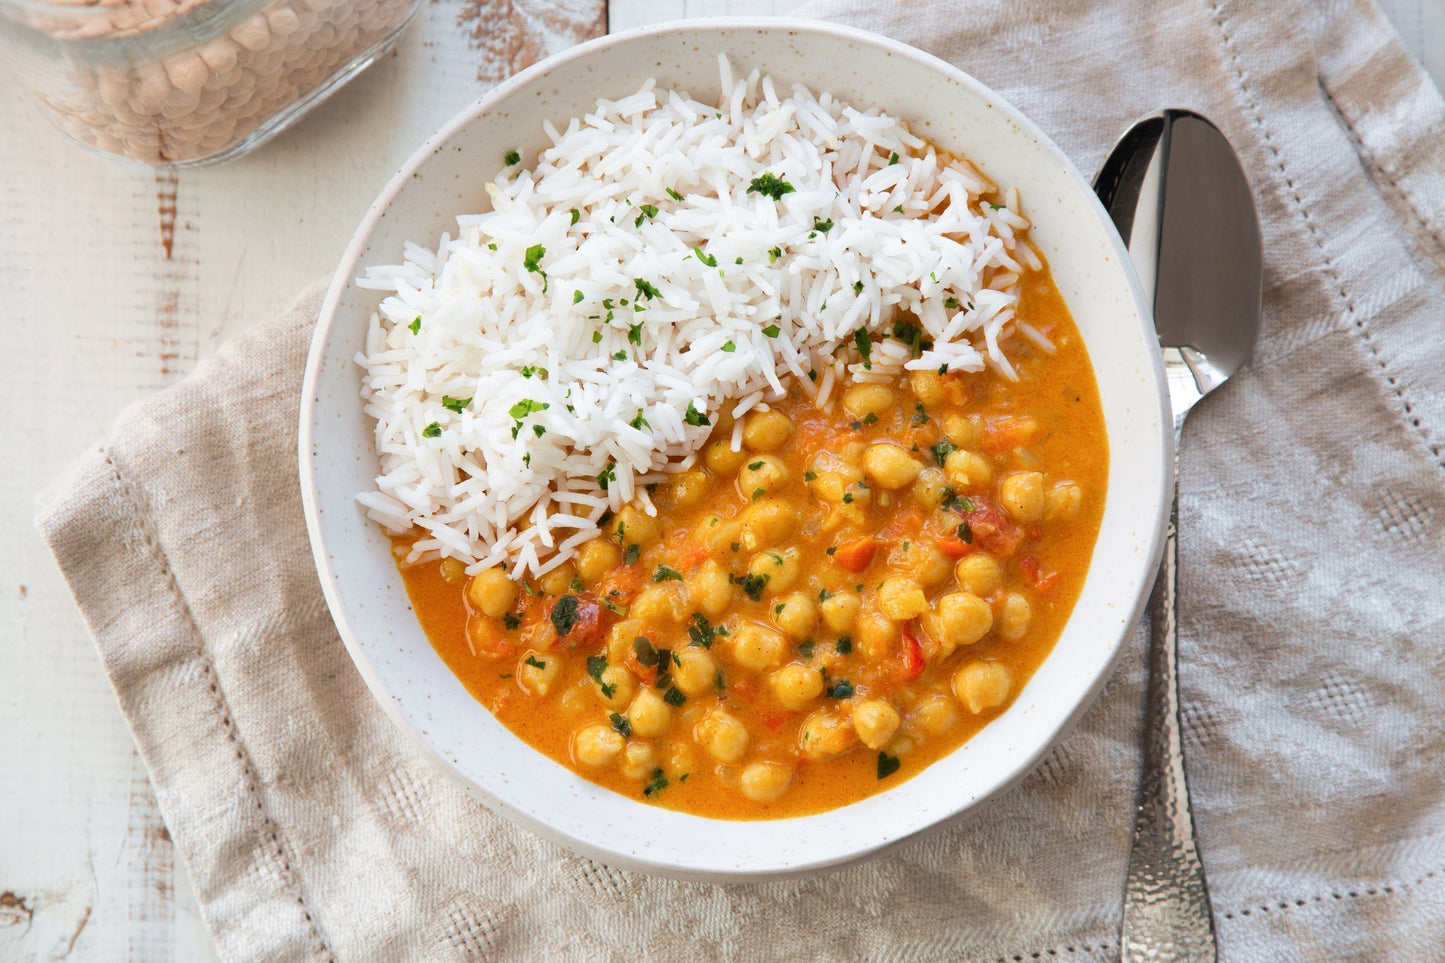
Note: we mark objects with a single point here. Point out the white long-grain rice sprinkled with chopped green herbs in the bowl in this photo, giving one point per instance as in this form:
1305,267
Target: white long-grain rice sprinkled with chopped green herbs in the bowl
571,346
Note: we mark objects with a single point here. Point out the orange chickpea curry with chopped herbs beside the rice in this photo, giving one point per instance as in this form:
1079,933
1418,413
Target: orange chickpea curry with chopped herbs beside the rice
814,618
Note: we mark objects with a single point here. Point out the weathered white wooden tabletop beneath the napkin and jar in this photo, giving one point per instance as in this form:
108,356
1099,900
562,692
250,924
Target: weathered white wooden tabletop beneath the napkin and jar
102,316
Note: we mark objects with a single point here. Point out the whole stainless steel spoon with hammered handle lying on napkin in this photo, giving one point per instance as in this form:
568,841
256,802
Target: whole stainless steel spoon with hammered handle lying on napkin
1180,200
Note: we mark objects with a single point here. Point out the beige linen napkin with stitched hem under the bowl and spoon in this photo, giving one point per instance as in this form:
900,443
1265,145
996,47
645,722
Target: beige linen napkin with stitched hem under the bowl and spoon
1313,624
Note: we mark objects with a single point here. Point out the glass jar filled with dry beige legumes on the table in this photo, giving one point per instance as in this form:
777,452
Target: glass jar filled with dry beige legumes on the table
180,83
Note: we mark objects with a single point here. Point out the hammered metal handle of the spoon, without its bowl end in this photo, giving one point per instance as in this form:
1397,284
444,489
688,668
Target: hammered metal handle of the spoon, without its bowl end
1167,903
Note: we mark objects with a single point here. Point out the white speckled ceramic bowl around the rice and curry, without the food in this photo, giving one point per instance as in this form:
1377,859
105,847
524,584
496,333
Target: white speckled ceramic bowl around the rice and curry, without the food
446,179
